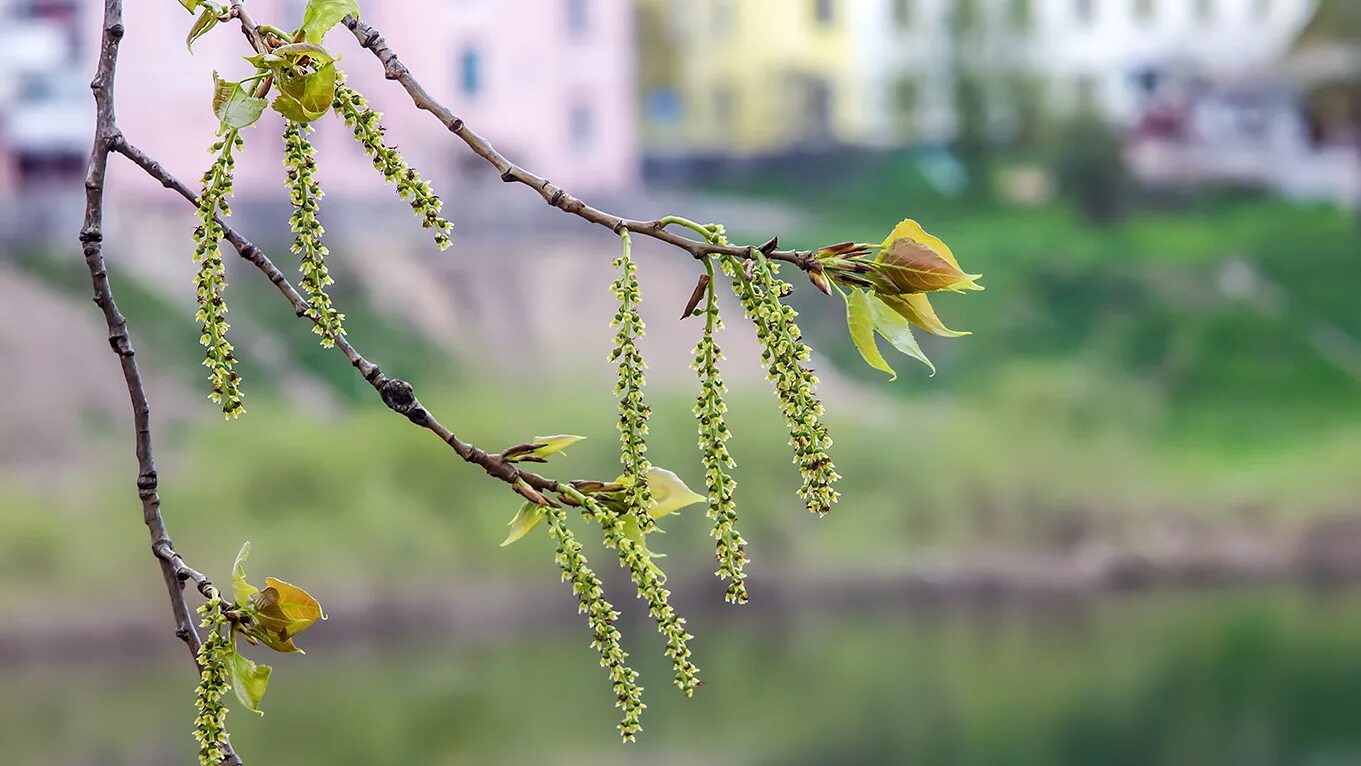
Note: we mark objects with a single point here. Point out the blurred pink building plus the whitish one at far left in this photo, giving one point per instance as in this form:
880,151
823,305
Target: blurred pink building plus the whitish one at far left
551,82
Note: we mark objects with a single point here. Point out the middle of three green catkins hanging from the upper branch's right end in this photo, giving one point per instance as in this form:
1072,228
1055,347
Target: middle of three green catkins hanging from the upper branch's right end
730,549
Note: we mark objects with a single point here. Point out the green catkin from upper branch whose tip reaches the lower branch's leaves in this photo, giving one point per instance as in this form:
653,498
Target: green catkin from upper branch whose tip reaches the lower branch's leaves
634,410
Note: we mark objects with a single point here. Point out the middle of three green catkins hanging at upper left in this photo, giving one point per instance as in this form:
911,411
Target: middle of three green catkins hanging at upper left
306,194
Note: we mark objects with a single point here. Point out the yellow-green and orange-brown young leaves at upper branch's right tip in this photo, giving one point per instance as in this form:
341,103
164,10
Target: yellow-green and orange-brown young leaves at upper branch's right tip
888,285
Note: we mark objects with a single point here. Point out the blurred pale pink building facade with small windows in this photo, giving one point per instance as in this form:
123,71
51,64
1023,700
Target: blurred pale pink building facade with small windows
549,82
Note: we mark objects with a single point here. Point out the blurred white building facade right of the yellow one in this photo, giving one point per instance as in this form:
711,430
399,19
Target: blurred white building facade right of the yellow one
1102,54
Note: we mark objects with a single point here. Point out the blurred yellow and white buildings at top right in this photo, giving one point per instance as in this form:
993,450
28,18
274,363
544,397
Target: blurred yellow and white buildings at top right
767,77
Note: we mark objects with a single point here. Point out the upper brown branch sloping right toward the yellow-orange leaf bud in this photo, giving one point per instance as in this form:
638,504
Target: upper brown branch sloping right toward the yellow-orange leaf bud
556,197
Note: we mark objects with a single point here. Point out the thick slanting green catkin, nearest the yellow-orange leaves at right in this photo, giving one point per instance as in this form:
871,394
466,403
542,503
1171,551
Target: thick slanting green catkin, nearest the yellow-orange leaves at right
787,367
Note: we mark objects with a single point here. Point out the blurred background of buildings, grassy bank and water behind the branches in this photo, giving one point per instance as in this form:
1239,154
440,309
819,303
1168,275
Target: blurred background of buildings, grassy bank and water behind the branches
1121,526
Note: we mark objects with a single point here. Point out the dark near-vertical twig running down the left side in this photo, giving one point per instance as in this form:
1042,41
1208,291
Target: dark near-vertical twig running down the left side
174,569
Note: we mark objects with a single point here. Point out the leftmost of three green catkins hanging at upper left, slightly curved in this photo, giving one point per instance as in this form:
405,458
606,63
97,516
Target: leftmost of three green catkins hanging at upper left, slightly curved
212,280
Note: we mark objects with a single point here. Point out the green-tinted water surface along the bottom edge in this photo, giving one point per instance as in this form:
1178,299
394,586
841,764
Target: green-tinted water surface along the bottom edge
1247,678
